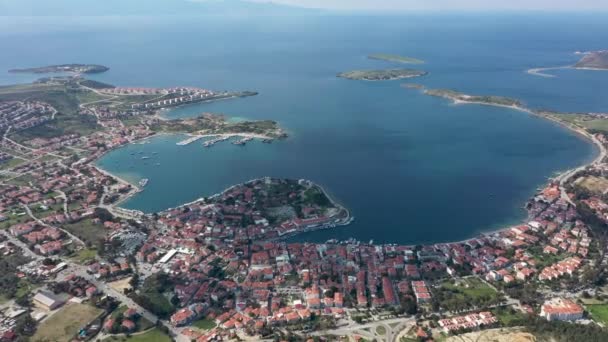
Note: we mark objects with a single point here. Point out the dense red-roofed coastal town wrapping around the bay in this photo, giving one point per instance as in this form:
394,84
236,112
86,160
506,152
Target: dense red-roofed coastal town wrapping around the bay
77,266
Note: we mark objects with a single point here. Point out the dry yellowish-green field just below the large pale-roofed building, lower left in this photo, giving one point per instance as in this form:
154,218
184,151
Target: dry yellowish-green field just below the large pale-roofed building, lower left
66,323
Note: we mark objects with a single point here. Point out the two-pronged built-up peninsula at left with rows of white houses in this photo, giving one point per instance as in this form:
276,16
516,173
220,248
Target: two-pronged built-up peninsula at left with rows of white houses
58,108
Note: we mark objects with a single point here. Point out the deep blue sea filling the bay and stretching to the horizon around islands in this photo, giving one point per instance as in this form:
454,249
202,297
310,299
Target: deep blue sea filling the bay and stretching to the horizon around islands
411,168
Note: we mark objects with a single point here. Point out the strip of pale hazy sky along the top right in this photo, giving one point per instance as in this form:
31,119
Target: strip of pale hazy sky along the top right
449,4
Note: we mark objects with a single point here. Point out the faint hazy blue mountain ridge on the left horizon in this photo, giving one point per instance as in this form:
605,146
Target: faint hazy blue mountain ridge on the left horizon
140,7
